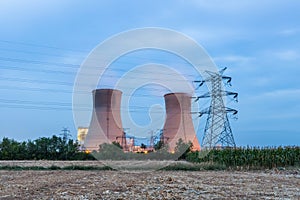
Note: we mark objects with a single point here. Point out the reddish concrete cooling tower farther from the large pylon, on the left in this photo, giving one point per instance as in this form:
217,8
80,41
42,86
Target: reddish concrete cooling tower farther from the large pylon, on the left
106,122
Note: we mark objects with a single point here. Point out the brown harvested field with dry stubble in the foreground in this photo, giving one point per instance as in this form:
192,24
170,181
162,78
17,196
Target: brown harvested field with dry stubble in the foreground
60,184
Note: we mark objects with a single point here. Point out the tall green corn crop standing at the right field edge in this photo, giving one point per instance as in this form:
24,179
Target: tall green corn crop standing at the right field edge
252,158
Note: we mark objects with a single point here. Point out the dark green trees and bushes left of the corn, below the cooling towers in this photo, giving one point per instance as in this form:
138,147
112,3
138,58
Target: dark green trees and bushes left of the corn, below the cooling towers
58,148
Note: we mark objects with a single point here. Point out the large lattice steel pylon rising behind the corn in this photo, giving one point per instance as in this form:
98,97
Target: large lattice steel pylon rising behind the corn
217,130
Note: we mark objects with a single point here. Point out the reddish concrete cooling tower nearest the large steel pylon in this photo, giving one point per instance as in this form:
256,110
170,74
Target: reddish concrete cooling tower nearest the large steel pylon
179,122
